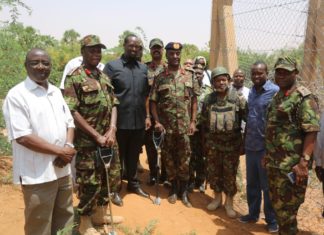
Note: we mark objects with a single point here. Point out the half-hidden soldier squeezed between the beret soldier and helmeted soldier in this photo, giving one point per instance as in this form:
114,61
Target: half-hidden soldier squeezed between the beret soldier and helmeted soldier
197,168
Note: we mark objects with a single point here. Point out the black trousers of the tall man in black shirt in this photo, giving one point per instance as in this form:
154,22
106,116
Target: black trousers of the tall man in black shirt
130,143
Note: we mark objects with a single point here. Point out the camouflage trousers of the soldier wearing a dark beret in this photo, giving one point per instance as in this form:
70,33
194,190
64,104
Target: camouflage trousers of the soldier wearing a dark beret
176,153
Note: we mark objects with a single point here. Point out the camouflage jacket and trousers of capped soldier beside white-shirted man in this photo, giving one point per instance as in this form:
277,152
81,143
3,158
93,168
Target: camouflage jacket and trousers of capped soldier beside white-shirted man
93,98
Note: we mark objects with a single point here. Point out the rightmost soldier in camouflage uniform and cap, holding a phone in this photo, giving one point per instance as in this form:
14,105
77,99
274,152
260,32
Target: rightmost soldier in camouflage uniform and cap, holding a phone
292,125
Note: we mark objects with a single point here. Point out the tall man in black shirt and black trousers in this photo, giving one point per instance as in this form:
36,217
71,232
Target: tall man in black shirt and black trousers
129,78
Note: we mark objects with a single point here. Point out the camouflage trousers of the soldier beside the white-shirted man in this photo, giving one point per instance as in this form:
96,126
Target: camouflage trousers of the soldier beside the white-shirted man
92,180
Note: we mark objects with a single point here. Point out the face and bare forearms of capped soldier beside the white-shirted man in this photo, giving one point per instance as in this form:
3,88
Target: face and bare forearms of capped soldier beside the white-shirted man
91,58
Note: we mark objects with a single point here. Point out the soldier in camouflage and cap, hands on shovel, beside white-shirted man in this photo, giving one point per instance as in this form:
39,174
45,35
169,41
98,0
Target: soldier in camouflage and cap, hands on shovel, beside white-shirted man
90,97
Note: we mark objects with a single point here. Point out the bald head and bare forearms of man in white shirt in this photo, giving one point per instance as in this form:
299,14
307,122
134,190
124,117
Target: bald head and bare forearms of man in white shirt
38,67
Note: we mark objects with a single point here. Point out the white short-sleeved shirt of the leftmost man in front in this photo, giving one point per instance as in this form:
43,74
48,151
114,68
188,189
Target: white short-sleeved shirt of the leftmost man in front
31,109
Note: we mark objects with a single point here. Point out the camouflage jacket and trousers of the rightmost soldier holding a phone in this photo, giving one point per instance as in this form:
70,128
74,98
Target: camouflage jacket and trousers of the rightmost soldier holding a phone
290,116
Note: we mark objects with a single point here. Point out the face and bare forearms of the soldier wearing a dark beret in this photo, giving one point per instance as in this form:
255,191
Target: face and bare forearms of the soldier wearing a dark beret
174,57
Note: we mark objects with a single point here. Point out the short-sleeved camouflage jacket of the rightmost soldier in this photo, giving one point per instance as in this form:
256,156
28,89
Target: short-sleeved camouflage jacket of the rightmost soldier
289,117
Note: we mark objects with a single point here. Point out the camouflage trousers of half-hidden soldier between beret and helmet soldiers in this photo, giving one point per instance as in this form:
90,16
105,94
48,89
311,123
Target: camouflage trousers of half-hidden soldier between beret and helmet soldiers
197,166
